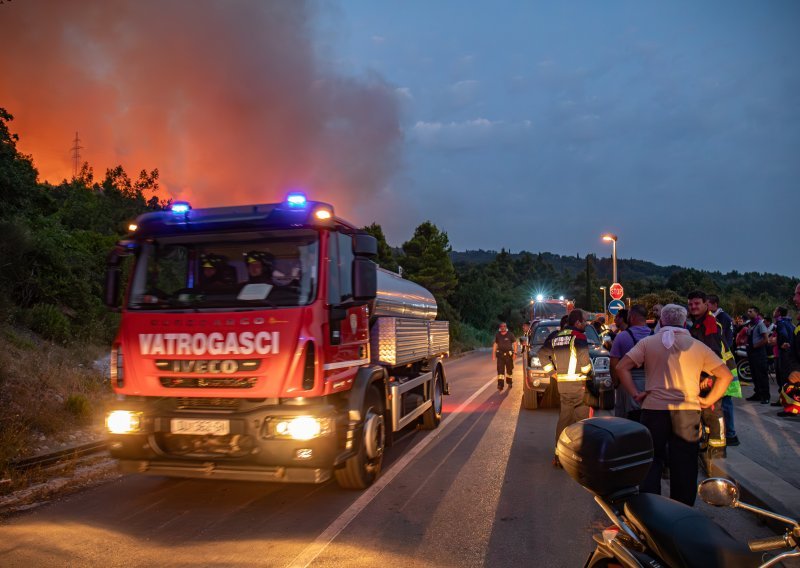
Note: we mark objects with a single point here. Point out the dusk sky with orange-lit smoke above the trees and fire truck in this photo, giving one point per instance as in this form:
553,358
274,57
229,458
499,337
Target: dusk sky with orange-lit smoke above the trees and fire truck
525,125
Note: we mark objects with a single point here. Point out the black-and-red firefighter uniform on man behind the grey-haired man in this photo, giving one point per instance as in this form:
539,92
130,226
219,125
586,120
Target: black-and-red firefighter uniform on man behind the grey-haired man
709,331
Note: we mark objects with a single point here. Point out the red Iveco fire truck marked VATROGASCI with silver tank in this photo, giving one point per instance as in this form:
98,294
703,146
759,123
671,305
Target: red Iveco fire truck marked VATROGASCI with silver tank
262,343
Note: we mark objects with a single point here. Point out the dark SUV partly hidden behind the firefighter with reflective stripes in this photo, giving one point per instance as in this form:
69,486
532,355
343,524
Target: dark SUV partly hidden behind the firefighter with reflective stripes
536,383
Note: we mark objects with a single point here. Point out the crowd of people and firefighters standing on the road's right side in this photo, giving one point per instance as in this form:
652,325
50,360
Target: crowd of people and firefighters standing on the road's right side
678,376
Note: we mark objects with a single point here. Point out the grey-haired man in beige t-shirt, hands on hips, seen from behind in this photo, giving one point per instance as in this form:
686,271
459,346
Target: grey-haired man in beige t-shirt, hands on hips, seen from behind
671,401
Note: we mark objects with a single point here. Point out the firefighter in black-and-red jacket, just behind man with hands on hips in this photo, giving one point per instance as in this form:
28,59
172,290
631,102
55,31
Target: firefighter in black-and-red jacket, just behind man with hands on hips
704,327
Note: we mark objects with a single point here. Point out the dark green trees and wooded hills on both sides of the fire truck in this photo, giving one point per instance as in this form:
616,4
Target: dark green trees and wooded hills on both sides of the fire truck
54,240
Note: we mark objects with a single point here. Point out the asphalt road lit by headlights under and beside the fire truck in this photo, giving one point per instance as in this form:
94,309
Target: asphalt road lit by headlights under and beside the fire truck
478,491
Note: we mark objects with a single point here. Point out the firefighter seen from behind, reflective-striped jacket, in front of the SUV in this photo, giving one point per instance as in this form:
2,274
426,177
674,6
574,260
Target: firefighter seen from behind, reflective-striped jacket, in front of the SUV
565,356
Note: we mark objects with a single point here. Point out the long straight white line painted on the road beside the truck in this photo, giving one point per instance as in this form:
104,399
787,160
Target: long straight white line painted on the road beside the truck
313,550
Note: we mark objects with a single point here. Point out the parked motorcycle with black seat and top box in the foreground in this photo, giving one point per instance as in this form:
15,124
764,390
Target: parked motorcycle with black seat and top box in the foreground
610,457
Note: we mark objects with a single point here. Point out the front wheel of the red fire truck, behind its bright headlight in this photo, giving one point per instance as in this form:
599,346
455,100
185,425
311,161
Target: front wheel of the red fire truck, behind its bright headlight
361,470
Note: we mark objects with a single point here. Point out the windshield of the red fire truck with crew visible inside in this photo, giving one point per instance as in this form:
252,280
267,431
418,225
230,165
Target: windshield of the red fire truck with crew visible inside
267,269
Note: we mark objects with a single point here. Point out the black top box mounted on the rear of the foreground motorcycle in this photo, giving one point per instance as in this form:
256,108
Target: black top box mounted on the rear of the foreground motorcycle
607,456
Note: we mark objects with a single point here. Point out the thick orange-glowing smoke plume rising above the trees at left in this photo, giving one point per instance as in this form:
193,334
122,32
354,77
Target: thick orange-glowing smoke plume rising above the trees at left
229,100
